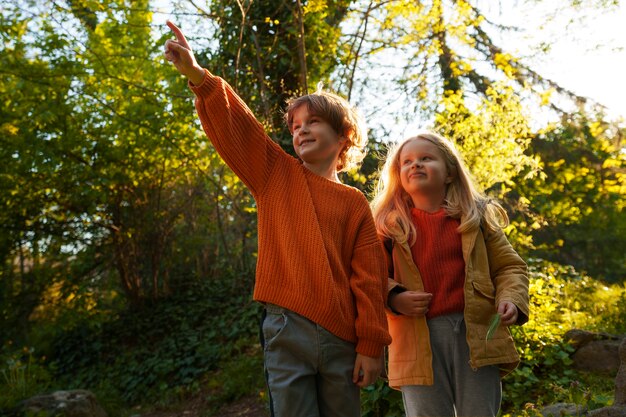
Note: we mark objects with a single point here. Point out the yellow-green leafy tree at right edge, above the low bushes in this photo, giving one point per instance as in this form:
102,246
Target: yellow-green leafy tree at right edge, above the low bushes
574,212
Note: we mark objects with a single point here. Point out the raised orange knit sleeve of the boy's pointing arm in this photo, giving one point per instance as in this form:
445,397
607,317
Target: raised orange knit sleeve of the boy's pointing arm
235,133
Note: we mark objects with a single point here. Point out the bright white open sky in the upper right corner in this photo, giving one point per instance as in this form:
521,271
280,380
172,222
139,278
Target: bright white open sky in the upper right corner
587,57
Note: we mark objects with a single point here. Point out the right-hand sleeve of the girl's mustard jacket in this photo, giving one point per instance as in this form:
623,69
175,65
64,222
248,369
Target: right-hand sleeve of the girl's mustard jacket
509,272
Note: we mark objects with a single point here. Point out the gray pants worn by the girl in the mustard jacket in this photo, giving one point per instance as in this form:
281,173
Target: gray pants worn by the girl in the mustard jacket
458,390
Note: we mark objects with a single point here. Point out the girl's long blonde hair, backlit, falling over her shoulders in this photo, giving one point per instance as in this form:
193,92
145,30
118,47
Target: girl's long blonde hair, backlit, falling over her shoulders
392,205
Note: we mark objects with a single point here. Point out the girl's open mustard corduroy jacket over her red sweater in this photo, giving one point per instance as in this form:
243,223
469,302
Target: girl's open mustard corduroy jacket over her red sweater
493,272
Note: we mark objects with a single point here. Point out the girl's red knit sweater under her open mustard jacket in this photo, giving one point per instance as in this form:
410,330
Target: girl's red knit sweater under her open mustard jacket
438,255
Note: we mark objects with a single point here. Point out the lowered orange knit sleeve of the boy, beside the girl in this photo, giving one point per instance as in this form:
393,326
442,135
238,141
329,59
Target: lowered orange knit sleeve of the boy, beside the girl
369,286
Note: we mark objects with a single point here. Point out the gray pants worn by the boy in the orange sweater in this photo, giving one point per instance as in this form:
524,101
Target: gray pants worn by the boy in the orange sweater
308,369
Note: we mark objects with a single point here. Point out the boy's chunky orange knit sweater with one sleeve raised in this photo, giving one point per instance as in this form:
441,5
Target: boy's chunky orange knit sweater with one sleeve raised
319,254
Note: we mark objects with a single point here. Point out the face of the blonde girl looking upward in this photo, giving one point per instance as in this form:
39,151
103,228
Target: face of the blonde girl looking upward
423,171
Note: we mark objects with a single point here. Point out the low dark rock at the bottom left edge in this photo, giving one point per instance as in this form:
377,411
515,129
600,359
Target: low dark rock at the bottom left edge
75,403
